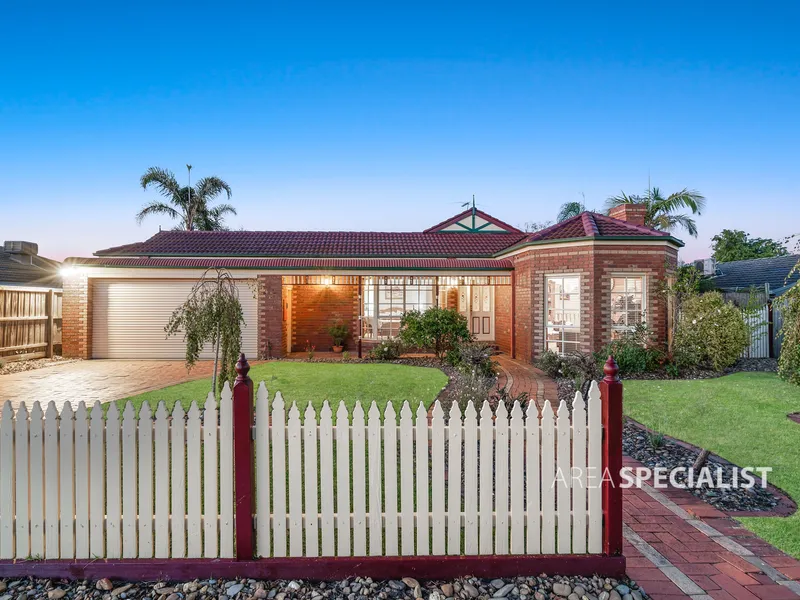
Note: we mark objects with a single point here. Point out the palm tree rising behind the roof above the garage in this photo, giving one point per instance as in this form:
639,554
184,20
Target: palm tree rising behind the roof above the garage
187,204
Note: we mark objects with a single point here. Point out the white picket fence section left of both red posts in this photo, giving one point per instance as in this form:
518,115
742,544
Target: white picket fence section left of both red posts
77,486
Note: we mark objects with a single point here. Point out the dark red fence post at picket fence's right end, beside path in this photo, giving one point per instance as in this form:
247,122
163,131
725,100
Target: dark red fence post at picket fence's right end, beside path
611,394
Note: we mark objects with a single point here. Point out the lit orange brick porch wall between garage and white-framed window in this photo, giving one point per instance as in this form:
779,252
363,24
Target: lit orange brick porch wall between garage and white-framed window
317,307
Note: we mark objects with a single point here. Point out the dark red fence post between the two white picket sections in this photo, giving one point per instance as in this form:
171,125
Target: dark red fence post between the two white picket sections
243,459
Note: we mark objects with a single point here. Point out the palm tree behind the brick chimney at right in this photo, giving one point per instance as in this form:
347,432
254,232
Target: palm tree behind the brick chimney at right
661,211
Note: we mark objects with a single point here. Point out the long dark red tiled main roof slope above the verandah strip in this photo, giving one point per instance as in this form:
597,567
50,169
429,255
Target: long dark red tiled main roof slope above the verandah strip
318,243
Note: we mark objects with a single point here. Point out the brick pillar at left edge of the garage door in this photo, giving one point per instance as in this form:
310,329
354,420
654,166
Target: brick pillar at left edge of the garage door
76,312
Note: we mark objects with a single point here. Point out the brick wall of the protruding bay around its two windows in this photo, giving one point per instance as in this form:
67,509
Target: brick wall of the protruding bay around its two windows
594,265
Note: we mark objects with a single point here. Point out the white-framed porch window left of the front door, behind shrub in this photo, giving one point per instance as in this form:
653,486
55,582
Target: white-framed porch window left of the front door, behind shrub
384,300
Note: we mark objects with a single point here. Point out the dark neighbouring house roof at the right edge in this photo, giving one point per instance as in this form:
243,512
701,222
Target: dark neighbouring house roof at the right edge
743,274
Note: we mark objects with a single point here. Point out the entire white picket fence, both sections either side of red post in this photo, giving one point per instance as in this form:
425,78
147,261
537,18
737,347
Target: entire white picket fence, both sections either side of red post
77,486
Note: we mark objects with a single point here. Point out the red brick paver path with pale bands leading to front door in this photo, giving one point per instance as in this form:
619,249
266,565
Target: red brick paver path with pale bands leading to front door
678,547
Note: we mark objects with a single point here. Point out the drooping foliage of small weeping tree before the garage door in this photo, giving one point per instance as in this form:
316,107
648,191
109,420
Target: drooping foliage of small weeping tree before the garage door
212,314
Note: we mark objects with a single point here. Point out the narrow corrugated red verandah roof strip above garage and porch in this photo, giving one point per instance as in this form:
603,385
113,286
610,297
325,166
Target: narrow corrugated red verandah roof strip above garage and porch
433,264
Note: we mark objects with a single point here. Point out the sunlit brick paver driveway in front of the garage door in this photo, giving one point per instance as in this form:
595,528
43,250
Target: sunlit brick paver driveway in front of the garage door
91,380
